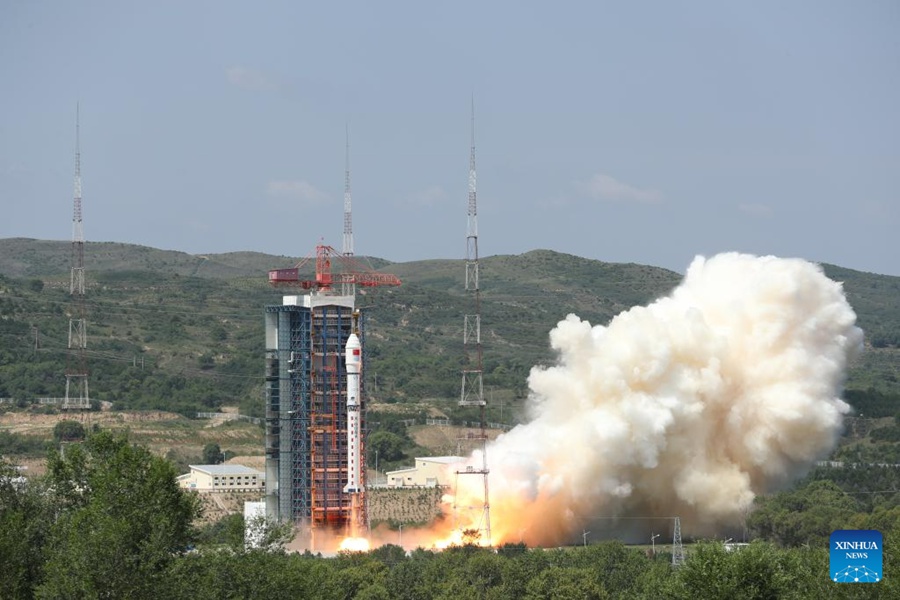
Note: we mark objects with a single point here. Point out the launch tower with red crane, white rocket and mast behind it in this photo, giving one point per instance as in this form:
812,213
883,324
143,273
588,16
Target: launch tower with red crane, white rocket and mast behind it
315,390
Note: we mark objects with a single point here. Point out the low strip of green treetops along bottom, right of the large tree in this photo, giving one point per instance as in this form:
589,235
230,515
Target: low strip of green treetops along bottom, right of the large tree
600,571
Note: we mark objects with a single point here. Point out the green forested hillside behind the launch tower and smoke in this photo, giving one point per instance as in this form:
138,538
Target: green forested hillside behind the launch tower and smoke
173,331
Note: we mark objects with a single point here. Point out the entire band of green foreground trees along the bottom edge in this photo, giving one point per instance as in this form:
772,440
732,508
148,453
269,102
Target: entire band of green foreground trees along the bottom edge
109,521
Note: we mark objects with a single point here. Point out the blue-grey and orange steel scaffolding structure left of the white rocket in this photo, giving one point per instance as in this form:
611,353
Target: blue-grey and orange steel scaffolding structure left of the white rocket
306,414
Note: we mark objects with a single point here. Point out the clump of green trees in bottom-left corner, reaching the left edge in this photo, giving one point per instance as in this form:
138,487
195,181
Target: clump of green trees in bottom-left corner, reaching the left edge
107,521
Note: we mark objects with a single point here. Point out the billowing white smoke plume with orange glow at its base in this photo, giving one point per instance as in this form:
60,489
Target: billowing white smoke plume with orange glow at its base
727,388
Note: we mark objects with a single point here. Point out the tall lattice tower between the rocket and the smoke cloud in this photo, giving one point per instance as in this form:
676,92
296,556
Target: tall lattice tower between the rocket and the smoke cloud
472,375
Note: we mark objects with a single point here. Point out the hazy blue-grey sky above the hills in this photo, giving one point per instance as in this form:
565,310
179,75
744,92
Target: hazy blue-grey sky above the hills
640,132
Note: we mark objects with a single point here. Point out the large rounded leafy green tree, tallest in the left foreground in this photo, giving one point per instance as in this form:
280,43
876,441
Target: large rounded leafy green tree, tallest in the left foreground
123,520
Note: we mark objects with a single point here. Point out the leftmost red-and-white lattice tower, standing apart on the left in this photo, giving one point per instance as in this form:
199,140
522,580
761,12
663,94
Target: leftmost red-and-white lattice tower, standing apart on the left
76,372
